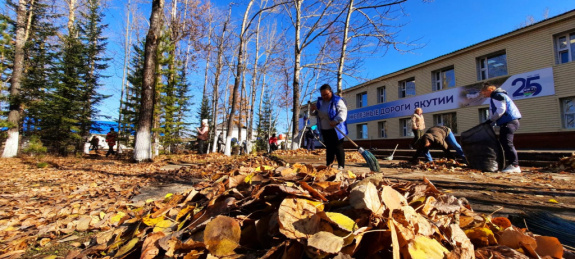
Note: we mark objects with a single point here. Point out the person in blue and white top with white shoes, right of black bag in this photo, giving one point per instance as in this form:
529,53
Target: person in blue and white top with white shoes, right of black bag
504,113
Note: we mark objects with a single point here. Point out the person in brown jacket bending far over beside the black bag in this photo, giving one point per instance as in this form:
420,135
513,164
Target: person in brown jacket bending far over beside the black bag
437,137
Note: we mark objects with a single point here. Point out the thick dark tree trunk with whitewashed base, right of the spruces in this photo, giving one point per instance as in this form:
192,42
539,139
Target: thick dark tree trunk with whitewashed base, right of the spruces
142,151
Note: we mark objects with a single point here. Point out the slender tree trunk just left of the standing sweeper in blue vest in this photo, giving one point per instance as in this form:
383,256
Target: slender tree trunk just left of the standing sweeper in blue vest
296,75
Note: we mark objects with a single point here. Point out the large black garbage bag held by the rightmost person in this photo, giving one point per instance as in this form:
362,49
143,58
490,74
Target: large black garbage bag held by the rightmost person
482,148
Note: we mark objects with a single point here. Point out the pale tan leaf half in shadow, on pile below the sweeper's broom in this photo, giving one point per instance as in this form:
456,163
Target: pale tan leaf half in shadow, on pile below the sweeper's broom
365,196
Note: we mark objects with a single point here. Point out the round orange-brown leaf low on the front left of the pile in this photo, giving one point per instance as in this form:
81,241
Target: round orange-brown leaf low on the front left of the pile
222,235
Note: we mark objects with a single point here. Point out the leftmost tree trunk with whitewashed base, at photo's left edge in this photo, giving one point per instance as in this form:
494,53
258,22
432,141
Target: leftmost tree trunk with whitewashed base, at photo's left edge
11,146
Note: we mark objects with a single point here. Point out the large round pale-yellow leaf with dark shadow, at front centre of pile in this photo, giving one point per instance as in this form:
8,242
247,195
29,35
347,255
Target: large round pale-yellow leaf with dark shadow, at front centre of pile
298,218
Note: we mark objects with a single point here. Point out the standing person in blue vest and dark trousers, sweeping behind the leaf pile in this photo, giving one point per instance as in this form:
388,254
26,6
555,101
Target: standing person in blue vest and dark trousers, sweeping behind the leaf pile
331,113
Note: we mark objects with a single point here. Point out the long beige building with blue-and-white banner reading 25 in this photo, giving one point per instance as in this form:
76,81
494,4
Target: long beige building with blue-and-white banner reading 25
535,64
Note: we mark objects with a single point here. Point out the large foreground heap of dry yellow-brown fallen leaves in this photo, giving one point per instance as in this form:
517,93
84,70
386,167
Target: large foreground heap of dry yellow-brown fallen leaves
300,211
